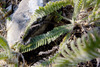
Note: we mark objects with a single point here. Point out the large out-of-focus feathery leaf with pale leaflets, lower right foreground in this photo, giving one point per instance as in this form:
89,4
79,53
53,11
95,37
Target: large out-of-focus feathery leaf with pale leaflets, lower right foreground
86,50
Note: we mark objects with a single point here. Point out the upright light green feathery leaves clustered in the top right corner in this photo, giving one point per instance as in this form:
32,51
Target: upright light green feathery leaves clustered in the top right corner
83,5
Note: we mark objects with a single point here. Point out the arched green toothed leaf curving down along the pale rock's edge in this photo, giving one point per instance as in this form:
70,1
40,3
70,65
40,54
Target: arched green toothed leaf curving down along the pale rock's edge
44,11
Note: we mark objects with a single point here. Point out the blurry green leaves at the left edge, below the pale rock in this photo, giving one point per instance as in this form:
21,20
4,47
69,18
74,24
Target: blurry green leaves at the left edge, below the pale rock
7,54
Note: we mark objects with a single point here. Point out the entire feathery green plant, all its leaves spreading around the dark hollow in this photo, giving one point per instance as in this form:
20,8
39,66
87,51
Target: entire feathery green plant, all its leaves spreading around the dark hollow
82,17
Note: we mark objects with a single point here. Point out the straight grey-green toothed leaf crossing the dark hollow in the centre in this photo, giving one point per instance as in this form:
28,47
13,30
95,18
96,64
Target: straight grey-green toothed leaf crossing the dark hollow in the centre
46,38
